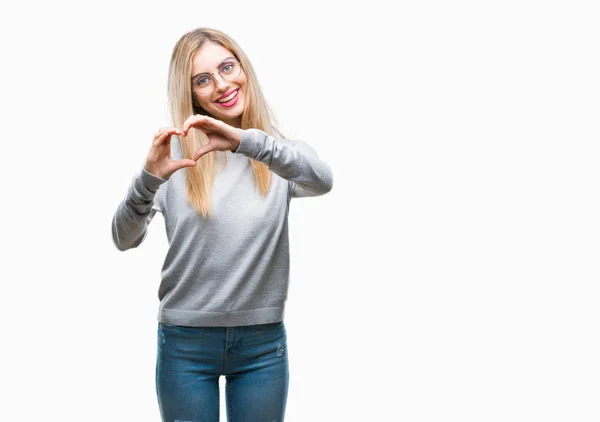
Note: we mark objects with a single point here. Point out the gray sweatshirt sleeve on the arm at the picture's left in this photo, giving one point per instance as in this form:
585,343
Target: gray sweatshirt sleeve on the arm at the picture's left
134,213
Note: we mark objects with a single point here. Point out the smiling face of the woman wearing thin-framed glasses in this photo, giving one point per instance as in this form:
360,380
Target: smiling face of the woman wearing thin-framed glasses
211,58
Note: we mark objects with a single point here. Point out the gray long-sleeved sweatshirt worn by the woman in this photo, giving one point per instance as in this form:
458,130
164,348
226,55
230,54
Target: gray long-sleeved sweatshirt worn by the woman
233,268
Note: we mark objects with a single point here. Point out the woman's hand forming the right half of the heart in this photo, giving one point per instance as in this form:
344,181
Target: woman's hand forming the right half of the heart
221,136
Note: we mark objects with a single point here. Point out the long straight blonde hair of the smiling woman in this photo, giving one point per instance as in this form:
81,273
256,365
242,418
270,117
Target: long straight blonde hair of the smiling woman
256,114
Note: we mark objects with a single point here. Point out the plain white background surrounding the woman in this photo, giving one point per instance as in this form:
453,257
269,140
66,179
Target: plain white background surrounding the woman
450,275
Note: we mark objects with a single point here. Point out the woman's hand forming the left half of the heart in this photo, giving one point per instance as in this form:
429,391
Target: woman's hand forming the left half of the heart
159,161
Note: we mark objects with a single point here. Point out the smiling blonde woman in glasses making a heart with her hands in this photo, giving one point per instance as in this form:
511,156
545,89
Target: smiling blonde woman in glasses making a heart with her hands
224,280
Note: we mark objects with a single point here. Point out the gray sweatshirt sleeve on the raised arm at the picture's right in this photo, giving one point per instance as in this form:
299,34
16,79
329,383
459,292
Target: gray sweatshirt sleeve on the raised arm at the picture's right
295,161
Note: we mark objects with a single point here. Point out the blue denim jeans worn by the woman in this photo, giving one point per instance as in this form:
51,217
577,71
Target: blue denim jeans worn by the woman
190,361
